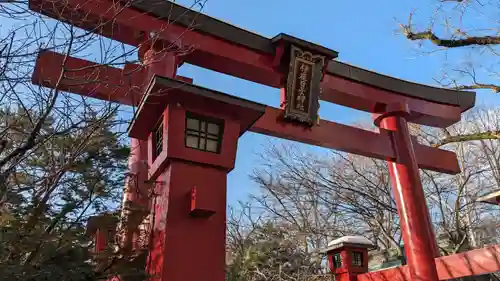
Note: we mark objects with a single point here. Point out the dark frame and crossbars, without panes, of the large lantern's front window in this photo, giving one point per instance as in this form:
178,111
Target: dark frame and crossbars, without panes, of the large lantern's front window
200,134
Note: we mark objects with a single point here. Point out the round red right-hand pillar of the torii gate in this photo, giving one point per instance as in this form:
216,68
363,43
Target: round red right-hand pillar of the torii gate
408,191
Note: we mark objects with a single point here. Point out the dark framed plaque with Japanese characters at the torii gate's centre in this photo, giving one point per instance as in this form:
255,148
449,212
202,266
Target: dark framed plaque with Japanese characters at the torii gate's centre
303,86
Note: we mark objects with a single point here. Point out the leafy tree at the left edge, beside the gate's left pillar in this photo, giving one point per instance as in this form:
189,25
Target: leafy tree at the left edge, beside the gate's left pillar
49,193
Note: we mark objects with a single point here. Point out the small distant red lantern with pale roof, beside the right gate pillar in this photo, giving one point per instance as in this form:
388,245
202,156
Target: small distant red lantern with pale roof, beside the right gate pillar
348,257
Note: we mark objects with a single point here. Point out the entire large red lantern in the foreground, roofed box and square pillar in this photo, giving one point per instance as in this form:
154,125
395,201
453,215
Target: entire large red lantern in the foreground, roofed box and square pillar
192,135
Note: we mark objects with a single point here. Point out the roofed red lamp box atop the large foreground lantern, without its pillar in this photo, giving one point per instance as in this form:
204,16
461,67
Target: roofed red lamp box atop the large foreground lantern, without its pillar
188,122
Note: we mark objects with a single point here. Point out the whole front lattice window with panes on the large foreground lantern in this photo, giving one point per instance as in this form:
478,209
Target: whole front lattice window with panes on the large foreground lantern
203,133
